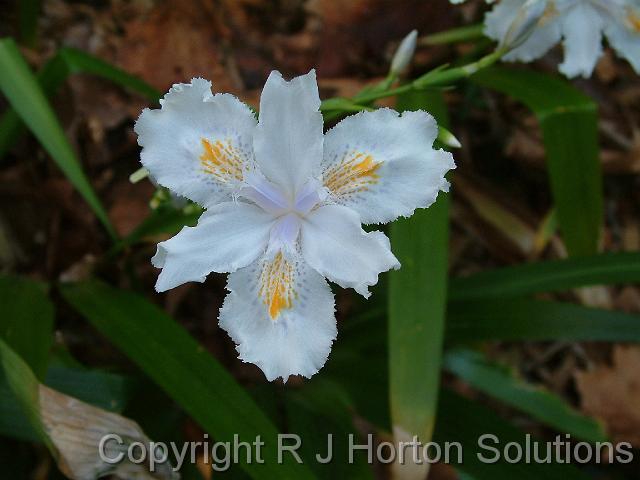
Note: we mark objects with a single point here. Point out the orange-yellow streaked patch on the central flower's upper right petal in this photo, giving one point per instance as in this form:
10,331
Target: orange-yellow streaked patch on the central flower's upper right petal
354,173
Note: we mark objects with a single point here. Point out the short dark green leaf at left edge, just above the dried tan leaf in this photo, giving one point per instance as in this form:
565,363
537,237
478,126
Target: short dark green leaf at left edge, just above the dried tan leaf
26,323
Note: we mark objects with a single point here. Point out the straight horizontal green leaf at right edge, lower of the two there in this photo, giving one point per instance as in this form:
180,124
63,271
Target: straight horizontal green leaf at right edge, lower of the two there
537,320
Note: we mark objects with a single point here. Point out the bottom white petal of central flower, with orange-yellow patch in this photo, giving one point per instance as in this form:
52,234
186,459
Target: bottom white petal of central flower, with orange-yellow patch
280,313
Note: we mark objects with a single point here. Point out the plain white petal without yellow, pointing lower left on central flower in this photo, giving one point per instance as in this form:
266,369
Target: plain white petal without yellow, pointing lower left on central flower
228,236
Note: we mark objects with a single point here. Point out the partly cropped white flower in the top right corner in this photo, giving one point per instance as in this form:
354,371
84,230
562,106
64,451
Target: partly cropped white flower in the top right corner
579,24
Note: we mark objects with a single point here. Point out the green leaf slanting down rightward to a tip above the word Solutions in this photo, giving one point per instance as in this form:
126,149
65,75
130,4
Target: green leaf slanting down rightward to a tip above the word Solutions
499,382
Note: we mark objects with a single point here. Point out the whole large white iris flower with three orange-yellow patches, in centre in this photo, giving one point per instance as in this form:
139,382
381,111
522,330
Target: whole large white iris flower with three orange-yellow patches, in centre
284,206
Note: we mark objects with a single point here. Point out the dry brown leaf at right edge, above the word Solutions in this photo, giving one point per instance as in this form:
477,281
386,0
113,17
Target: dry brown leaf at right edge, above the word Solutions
612,394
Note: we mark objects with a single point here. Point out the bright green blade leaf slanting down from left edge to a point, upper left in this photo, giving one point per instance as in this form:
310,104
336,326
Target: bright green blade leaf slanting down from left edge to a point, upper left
25,95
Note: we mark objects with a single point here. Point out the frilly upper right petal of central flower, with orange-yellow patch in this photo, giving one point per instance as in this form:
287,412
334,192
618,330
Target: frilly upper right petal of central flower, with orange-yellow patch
383,165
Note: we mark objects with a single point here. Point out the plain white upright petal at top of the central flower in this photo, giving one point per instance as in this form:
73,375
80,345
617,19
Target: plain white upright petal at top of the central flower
288,139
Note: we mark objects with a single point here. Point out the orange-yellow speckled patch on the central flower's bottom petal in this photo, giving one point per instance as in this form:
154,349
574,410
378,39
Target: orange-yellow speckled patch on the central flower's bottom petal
276,287
